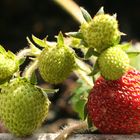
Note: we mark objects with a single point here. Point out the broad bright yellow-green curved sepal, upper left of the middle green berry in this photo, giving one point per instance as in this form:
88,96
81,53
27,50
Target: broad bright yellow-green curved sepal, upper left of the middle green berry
39,42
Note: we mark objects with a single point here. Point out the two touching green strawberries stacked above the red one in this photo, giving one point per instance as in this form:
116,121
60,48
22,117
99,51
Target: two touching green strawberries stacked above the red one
102,34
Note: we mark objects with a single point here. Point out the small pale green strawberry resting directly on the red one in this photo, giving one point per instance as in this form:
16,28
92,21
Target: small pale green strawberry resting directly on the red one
113,63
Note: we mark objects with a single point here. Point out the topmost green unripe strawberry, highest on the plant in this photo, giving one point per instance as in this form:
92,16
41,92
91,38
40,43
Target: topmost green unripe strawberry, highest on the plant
101,32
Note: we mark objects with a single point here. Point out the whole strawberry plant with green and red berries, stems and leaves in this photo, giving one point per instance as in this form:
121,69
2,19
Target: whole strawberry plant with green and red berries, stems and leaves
107,95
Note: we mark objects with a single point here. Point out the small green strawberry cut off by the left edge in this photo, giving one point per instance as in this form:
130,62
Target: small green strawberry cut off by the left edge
8,64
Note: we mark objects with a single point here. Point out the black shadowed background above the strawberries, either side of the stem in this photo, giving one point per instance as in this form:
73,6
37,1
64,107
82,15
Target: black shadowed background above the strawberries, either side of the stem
21,18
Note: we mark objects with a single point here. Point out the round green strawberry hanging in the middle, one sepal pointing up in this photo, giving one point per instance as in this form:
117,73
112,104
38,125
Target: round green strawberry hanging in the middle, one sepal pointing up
56,63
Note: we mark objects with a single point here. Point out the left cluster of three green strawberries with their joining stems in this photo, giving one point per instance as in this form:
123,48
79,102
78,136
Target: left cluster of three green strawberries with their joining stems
24,105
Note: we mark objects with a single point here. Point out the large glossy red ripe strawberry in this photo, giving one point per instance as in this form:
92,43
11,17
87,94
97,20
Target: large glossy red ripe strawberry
114,106
